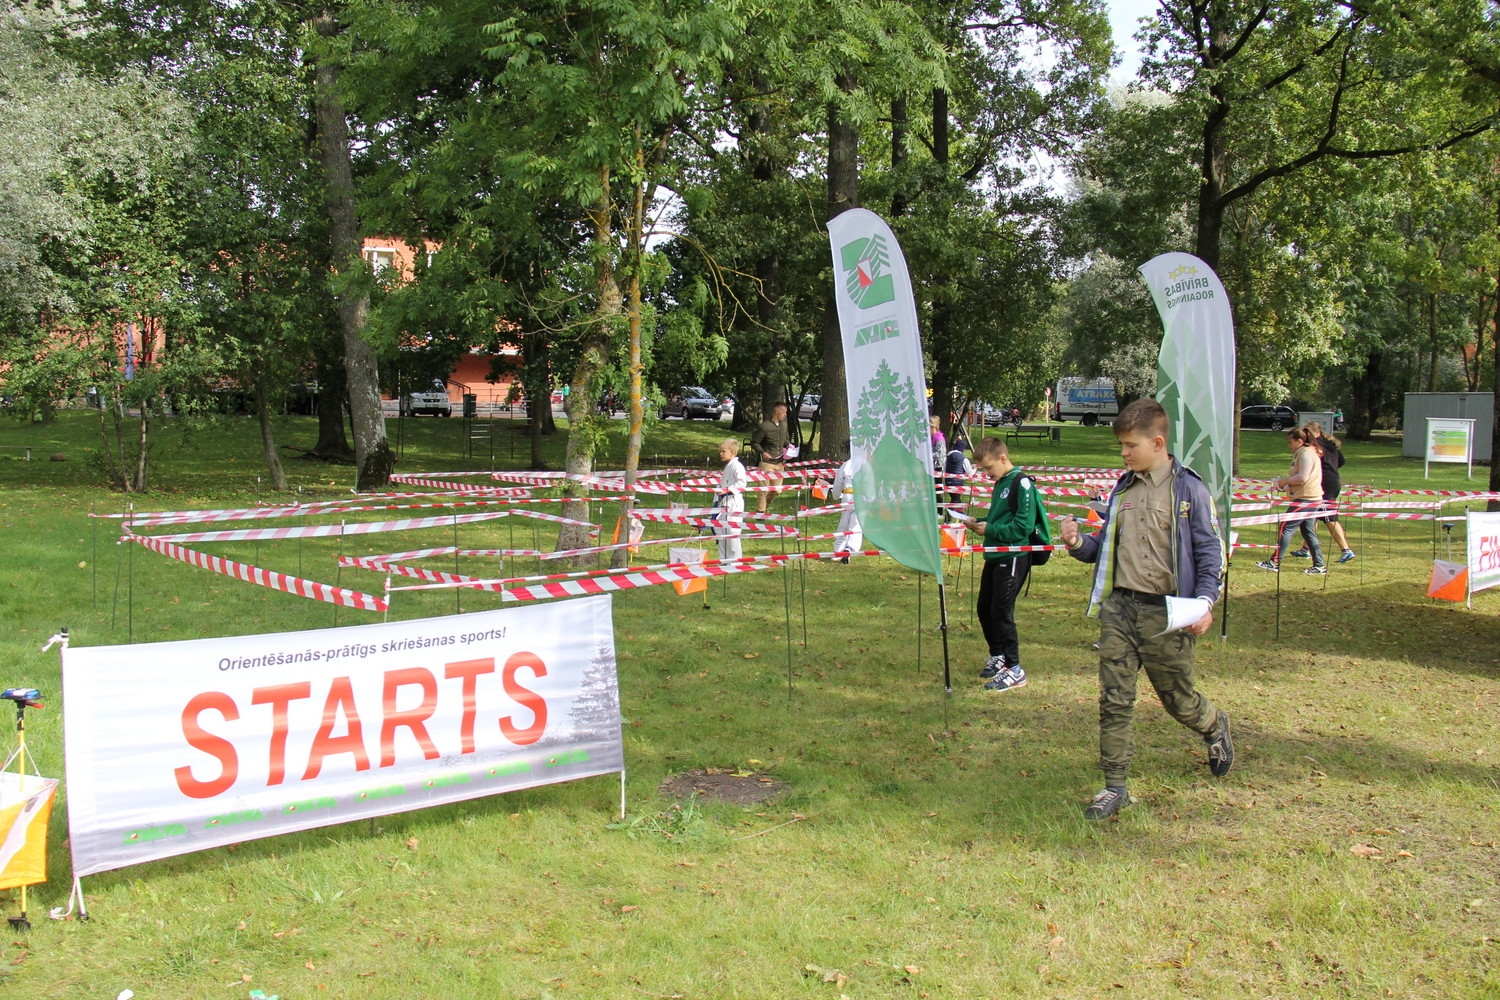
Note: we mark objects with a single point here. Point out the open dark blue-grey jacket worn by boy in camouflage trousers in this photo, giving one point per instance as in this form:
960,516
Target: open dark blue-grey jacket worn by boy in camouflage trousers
1198,554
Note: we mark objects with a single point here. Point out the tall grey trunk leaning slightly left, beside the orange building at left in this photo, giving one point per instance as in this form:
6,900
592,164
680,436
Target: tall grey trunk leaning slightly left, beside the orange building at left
373,455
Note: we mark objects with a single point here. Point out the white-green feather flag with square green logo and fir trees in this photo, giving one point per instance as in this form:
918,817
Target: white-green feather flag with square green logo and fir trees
889,436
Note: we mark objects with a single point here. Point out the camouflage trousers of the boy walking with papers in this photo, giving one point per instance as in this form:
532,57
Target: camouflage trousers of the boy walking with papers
1130,641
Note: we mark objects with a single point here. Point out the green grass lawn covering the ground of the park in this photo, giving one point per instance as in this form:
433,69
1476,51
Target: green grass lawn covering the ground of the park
907,860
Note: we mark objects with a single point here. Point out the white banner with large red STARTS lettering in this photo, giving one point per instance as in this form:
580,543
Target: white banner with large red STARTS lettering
185,746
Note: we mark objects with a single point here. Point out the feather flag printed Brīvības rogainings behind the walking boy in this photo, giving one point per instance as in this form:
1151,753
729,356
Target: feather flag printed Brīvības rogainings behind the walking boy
1196,370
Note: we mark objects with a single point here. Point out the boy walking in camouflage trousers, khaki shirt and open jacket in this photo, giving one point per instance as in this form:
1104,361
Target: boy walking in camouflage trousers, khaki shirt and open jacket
1159,539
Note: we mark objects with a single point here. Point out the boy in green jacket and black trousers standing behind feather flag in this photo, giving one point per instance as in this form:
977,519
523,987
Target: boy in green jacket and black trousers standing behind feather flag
1015,512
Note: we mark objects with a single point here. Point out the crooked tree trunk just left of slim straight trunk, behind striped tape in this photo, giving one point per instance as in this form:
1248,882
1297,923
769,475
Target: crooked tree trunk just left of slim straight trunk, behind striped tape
593,358
